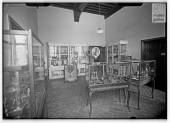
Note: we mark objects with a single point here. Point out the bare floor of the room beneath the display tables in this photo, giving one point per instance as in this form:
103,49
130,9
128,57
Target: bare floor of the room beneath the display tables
68,100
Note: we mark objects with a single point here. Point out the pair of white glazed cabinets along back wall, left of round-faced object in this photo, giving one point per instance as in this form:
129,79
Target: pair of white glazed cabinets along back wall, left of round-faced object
59,55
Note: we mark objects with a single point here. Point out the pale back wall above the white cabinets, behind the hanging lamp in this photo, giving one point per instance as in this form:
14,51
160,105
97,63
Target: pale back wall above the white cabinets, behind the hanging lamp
57,25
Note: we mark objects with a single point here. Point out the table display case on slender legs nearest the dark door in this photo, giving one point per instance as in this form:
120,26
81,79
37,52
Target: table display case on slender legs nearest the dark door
143,72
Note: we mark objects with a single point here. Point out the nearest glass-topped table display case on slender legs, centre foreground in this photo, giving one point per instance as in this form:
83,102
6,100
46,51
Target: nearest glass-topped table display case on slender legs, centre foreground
104,77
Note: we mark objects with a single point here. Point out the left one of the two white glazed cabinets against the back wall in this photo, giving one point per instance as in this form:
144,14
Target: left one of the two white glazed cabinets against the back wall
57,57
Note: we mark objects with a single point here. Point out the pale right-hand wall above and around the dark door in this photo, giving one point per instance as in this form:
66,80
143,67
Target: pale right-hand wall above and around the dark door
133,24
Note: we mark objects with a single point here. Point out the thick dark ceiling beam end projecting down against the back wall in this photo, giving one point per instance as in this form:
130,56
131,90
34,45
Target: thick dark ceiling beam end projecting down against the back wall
78,9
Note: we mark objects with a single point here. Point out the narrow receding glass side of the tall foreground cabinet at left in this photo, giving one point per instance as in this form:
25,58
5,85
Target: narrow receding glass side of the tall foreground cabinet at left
39,75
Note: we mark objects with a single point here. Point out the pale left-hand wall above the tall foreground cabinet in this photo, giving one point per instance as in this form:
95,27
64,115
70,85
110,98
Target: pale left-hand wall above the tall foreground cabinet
23,15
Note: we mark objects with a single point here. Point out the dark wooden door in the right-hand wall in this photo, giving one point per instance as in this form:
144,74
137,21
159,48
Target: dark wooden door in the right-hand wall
156,49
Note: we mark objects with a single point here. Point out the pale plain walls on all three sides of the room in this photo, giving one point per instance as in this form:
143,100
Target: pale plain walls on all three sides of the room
57,25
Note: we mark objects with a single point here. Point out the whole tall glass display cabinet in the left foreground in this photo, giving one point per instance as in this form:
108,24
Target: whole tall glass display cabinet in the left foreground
24,86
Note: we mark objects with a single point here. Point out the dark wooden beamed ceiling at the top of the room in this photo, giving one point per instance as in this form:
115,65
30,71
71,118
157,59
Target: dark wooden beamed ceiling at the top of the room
106,9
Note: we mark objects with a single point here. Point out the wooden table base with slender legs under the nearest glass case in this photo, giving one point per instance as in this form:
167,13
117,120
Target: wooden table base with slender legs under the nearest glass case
106,87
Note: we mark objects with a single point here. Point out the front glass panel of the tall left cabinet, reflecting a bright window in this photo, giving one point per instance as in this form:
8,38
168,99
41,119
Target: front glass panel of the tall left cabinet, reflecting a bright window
17,97
